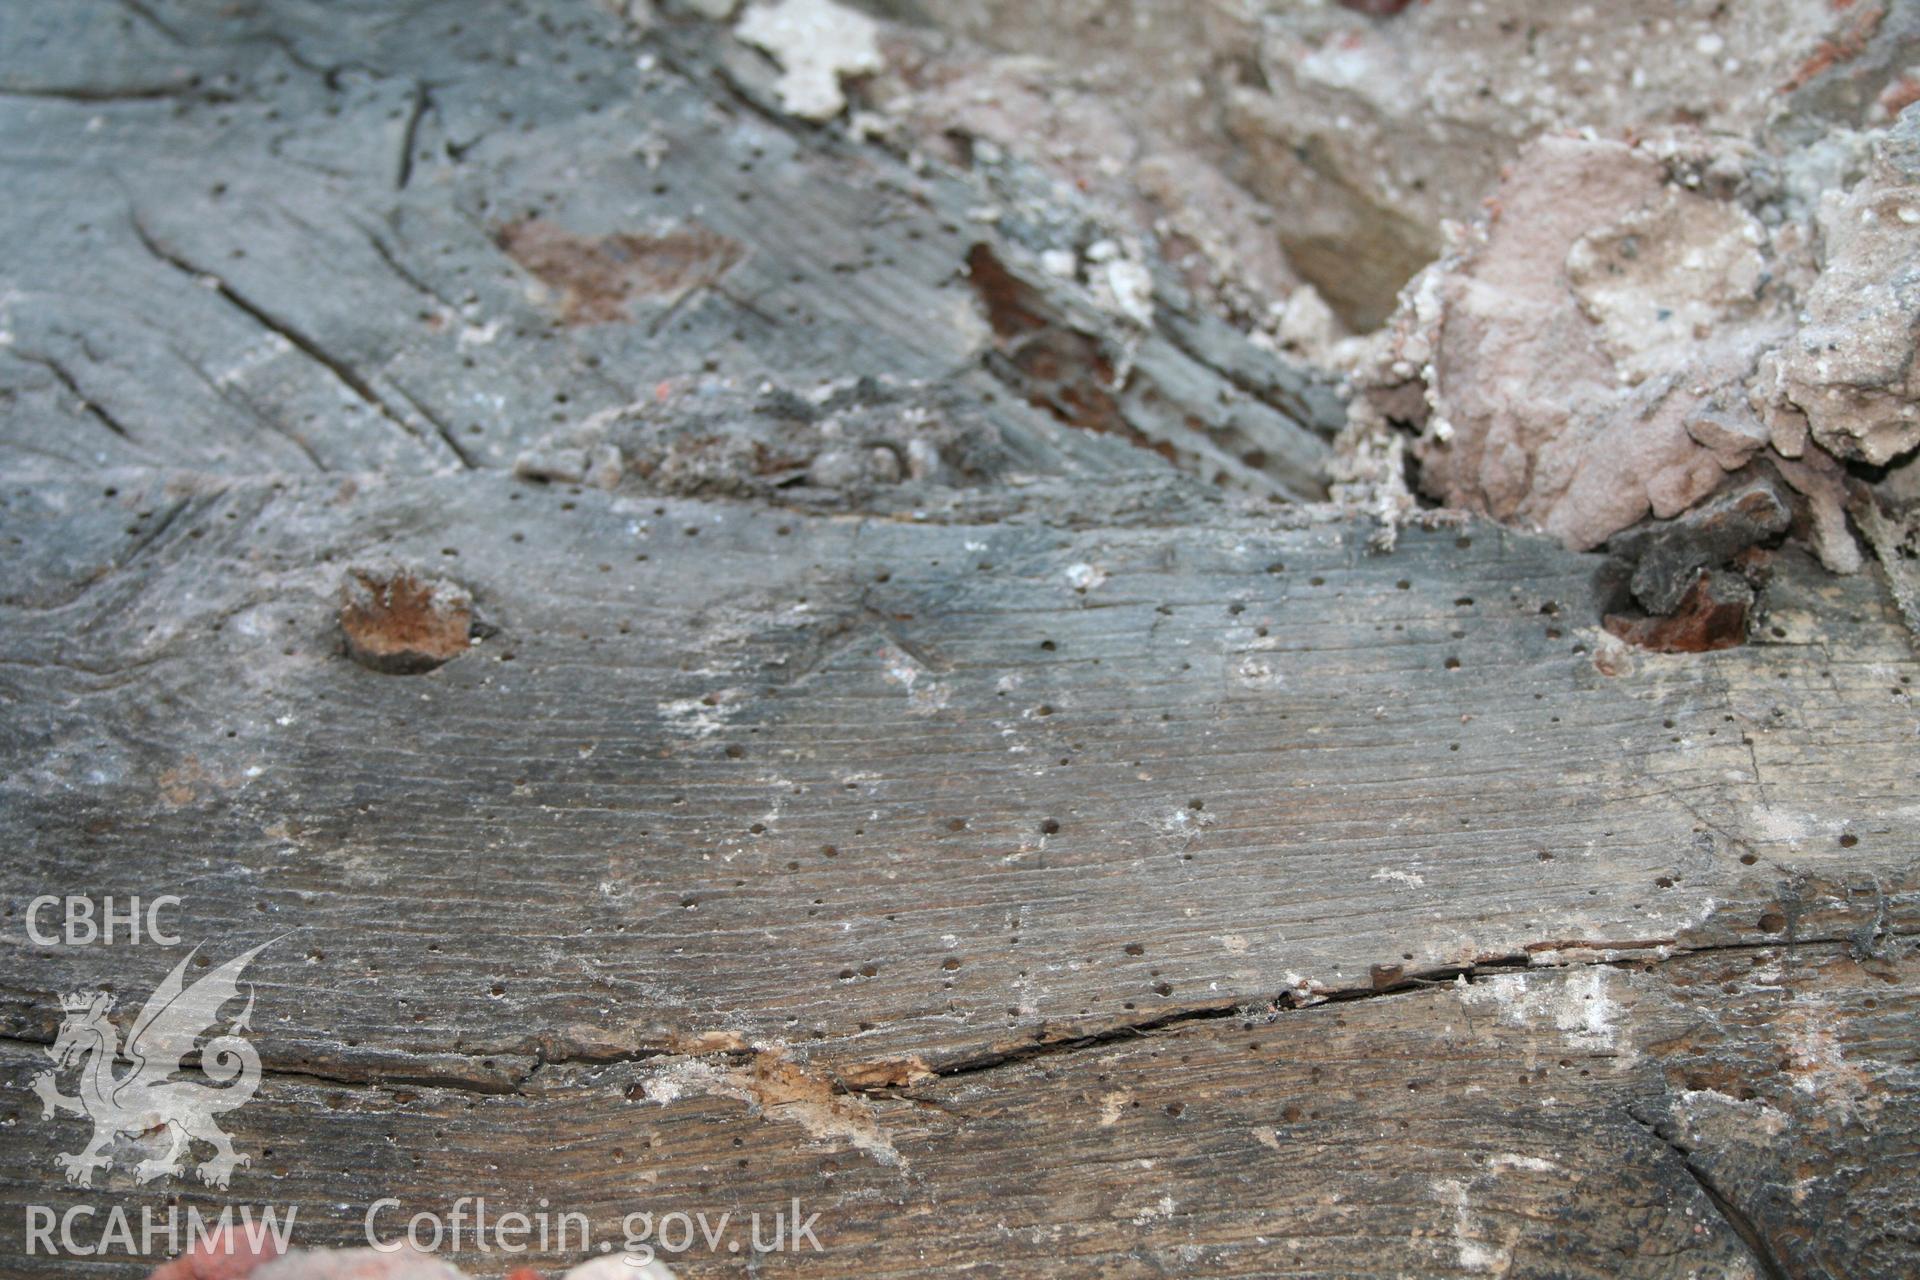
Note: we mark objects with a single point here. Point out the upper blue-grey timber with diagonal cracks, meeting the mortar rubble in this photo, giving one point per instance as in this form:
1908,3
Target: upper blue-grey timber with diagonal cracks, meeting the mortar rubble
166,304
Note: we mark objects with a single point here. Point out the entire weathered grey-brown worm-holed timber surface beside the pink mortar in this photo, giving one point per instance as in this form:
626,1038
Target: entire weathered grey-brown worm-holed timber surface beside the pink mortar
871,847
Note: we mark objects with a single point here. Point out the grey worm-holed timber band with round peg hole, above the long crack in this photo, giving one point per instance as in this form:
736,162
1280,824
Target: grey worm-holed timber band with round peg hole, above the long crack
1247,749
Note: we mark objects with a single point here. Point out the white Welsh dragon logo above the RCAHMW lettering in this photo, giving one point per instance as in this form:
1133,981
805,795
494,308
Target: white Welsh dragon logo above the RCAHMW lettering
147,1099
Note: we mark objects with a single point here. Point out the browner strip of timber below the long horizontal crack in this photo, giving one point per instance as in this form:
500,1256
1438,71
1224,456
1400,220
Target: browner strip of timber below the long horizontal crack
1598,1122
